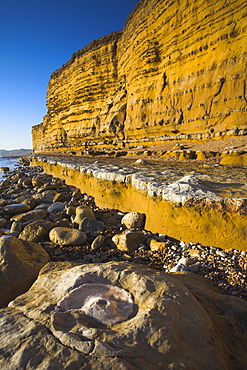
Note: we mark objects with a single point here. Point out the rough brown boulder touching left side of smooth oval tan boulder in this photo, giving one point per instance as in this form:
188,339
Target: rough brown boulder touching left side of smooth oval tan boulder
36,230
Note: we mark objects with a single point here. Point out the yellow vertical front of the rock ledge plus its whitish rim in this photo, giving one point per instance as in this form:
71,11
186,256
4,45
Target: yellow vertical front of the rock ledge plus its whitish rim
190,208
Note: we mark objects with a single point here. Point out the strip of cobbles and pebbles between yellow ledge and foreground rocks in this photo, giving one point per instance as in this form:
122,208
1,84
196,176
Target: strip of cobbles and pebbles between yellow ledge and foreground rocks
105,234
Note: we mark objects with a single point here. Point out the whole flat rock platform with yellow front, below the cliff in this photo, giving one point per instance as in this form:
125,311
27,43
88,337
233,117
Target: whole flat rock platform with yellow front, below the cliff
200,201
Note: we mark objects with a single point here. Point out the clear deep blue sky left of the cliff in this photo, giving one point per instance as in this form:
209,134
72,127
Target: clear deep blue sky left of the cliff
36,38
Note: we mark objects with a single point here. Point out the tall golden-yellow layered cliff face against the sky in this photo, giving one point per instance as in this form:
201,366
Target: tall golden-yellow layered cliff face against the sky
178,69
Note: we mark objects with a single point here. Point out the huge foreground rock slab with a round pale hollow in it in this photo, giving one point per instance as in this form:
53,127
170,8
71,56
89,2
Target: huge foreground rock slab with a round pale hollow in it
176,321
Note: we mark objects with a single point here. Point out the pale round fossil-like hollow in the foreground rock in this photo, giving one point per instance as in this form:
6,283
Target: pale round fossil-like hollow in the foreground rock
107,304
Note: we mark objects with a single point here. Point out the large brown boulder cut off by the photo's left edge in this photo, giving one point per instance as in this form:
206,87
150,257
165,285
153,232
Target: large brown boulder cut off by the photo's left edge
19,266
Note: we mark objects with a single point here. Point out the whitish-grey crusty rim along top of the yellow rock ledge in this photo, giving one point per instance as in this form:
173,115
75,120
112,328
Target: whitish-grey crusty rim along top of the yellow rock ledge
179,191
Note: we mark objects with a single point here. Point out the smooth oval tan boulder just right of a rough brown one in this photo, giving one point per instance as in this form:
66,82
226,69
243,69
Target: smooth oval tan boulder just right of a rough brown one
67,236
